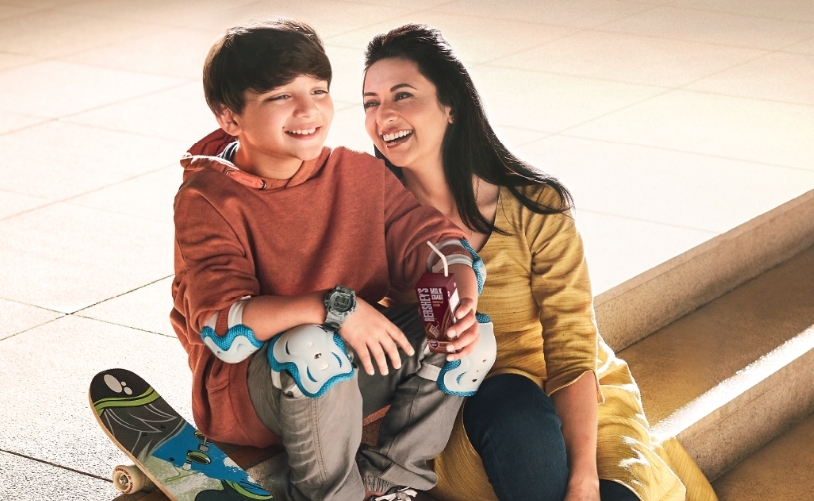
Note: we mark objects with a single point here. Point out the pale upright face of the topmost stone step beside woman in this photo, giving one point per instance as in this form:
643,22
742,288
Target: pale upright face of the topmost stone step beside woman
640,306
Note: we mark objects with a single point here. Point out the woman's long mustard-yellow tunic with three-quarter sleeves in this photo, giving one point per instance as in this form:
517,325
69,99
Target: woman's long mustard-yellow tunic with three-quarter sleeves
538,295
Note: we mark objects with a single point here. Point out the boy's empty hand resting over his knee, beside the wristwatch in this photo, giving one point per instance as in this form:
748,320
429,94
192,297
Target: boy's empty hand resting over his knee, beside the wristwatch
373,337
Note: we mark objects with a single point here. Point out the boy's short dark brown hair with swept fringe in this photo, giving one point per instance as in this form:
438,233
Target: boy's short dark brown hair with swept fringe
259,57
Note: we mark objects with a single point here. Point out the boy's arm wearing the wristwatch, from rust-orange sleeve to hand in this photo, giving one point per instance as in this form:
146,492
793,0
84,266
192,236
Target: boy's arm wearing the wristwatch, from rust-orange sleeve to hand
218,275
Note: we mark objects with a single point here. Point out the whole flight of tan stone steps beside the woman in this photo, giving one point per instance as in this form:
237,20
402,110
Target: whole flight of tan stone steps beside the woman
721,343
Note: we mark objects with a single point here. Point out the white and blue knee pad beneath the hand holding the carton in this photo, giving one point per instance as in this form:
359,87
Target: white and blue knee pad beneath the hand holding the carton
463,377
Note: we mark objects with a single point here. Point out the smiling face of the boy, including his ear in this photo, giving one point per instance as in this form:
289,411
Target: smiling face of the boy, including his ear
283,127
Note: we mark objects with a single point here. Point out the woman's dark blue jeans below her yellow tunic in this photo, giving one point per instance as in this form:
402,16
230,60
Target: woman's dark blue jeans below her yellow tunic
514,427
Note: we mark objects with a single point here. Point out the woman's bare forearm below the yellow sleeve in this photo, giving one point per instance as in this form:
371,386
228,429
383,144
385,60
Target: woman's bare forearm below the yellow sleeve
577,409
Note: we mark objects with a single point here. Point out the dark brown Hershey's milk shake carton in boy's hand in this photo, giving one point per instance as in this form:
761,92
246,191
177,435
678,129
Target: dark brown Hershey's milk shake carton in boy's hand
437,300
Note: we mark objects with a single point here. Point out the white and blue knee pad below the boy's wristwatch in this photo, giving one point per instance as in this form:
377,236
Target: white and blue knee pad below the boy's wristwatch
315,357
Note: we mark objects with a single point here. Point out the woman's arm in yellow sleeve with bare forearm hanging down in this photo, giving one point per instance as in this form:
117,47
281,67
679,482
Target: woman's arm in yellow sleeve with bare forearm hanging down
561,286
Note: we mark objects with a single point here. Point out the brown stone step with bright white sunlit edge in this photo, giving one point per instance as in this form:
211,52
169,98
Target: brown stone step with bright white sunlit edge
729,376
